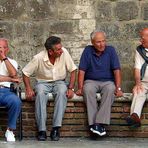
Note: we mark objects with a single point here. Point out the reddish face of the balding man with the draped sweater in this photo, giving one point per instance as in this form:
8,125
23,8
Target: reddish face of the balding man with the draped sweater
144,37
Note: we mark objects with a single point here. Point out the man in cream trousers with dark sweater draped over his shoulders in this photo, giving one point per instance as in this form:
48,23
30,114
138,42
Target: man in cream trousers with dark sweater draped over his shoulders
141,79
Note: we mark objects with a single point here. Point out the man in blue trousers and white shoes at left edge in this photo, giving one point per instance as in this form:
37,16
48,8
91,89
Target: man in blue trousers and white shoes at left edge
8,74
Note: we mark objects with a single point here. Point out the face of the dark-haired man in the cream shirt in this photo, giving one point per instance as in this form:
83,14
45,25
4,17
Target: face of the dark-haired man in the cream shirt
57,50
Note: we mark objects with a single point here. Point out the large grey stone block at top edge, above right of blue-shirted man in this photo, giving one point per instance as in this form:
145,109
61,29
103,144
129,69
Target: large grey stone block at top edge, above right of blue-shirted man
125,11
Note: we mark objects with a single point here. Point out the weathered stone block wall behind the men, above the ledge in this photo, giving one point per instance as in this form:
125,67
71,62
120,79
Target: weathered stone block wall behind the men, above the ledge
27,24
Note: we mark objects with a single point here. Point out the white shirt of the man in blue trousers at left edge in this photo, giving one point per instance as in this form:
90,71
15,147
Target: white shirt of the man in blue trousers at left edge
4,71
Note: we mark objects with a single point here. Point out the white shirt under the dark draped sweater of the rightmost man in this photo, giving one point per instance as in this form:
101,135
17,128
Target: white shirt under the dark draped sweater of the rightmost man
139,61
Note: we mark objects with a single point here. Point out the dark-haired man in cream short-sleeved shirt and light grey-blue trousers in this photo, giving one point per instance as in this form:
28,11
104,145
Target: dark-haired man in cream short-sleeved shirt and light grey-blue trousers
50,67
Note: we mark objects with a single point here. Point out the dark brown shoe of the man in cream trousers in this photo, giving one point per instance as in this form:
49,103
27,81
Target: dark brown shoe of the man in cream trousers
133,120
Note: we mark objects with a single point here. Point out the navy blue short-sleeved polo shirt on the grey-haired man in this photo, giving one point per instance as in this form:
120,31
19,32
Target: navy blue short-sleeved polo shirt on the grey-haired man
100,67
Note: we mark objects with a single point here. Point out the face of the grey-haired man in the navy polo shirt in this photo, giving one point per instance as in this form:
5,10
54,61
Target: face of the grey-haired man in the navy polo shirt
99,41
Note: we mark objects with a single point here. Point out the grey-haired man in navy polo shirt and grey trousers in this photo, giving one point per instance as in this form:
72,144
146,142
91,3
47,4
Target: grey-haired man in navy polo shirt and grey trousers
99,71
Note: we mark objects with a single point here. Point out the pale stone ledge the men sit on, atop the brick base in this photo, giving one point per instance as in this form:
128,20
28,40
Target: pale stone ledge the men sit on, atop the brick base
127,97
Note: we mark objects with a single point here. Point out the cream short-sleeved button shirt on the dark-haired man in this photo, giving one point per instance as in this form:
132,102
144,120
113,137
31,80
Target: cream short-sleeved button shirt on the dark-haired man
45,71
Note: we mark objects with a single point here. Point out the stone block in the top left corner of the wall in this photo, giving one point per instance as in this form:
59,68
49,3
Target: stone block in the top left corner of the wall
11,9
